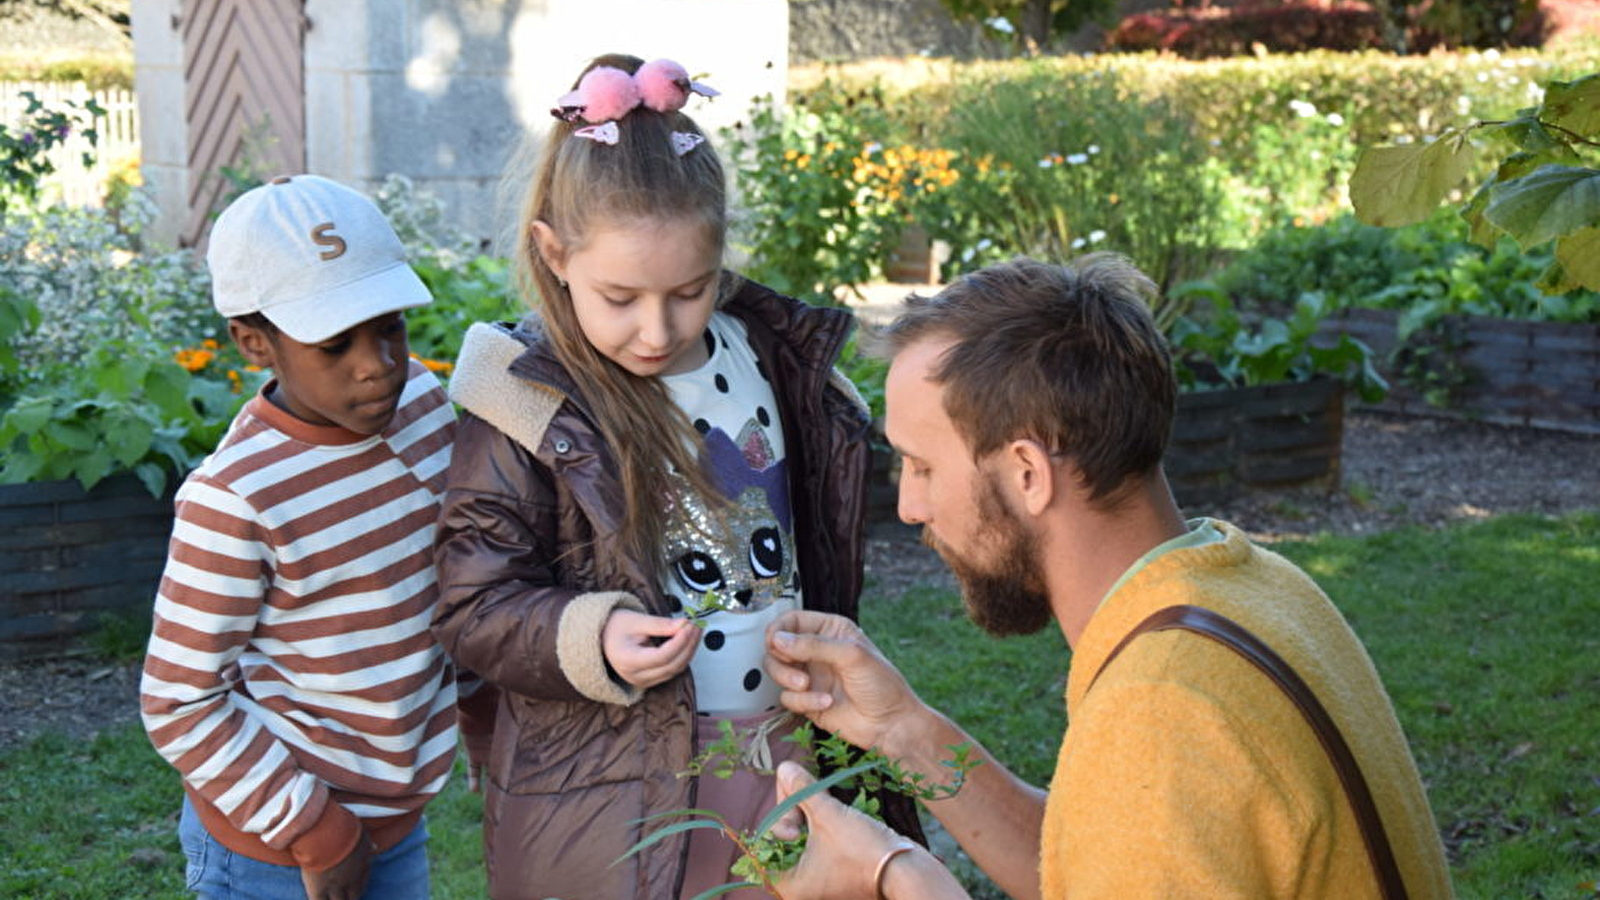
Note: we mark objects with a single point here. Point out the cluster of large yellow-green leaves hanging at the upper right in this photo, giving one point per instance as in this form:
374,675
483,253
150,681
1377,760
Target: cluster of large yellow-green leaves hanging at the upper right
1542,191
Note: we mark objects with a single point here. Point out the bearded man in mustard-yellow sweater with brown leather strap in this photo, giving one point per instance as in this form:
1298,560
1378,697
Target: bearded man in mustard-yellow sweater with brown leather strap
1228,733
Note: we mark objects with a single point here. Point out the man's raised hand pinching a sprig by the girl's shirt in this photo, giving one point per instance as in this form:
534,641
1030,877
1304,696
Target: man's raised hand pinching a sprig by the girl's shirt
831,673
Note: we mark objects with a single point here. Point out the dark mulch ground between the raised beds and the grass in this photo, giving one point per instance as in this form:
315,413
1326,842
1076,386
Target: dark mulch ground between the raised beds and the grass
1396,472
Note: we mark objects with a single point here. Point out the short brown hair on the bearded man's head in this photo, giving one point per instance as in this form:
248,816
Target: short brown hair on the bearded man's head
1068,356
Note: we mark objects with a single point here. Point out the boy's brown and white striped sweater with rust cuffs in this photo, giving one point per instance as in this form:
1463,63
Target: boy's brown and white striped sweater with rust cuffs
292,677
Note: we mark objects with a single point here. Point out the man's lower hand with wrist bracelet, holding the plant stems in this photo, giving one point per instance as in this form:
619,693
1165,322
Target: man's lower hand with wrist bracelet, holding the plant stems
844,850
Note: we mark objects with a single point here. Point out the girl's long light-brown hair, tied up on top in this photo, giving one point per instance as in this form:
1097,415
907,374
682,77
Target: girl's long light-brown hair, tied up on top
577,187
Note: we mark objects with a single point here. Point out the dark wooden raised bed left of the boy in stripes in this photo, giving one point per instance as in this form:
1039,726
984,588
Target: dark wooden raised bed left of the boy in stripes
68,556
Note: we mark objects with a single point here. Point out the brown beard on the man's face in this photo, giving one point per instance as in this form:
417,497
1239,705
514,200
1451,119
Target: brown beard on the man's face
1006,597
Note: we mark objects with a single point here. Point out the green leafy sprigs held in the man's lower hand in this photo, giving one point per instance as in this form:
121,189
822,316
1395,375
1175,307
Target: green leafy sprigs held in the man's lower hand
855,773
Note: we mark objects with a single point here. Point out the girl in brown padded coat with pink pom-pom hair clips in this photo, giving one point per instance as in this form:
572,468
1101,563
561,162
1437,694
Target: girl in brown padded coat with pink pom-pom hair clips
649,470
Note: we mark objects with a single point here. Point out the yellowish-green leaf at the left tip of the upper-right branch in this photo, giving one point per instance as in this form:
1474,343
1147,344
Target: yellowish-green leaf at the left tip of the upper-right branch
1398,187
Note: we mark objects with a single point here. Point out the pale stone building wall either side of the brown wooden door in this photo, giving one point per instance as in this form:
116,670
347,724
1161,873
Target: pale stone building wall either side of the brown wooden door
446,90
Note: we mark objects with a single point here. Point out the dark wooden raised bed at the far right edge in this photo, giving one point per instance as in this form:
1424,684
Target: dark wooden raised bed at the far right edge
1524,374
